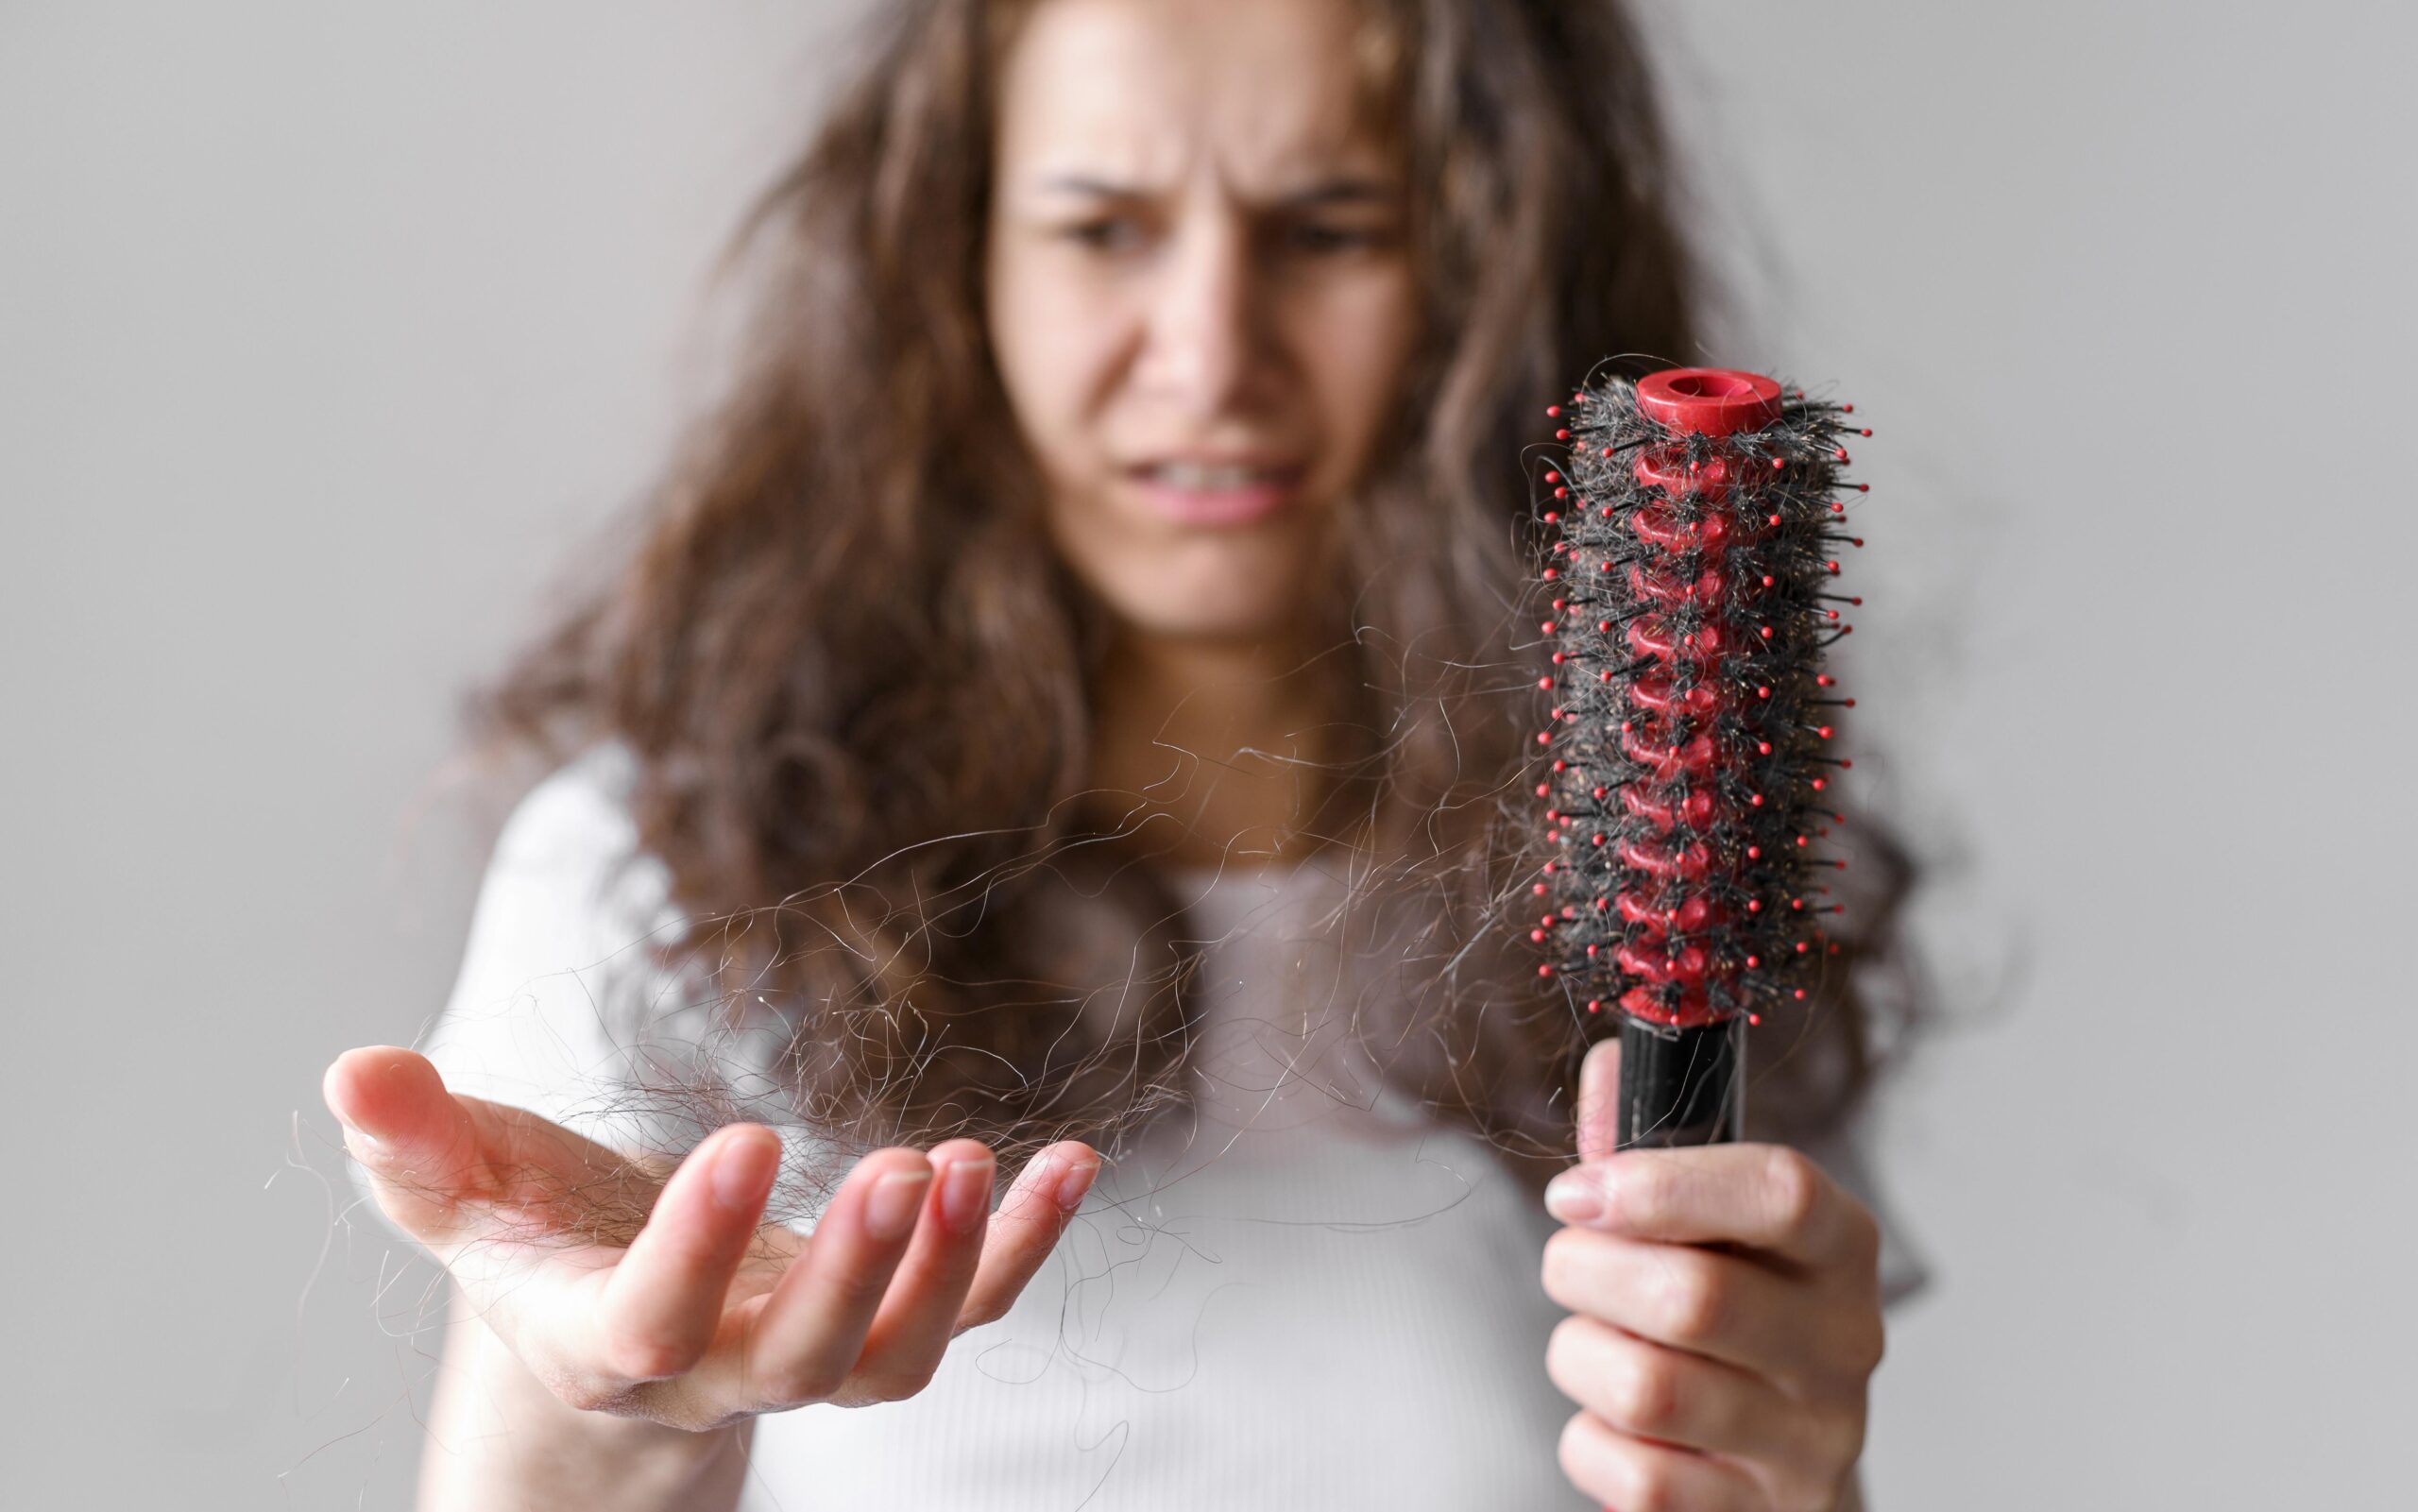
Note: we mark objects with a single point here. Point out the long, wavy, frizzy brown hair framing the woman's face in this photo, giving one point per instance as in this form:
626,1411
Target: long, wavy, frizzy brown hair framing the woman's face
860,686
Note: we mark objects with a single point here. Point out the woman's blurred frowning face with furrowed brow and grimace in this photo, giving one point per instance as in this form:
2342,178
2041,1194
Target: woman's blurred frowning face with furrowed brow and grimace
1198,296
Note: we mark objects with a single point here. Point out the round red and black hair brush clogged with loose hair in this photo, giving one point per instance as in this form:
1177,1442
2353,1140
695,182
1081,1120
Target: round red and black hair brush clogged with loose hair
1696,538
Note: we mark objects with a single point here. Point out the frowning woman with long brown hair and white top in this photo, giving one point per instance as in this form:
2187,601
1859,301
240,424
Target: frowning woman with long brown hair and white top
1051,717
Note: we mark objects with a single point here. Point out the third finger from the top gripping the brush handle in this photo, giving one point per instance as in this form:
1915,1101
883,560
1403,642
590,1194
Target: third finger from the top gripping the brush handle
1665,1395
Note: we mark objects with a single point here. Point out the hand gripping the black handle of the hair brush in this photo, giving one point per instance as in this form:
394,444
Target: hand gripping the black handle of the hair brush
1725,1327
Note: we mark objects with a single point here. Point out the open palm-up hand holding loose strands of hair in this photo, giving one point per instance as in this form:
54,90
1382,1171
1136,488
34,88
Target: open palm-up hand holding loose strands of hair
664,1295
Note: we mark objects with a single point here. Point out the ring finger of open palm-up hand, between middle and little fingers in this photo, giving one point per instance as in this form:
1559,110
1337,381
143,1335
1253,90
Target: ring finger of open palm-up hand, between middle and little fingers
918,1320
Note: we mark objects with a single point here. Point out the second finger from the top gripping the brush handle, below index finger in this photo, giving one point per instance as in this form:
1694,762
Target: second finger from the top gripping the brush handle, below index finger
1694,1300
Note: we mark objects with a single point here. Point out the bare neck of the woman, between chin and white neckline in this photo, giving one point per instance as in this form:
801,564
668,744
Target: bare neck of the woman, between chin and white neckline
1213,749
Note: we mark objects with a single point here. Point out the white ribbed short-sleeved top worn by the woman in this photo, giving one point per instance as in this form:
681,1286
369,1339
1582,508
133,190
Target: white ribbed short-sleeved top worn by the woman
1295,1295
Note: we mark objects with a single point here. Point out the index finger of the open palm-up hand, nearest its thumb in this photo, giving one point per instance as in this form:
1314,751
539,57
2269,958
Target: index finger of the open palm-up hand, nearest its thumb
661,1305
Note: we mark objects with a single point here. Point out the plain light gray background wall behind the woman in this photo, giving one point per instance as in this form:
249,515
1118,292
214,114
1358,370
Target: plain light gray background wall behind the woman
328,333
